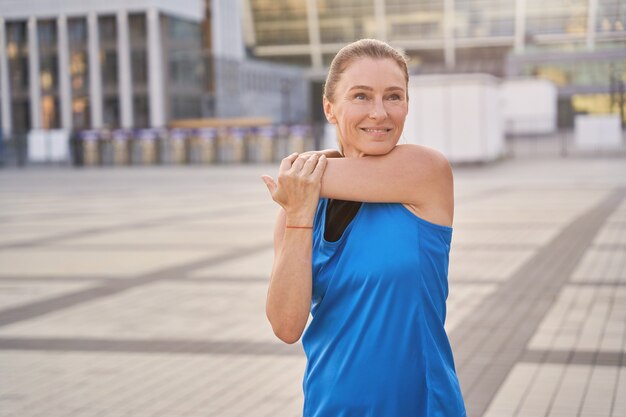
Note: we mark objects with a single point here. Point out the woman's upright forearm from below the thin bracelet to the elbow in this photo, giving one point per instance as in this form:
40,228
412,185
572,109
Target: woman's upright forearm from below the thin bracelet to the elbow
289,295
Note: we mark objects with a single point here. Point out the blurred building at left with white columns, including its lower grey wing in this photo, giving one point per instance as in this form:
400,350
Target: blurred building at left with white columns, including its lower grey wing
94,64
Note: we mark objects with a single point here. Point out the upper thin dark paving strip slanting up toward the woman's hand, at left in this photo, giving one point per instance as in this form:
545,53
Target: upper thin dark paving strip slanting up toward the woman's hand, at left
116,228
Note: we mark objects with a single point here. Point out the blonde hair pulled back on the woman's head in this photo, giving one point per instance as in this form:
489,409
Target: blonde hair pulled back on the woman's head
364,48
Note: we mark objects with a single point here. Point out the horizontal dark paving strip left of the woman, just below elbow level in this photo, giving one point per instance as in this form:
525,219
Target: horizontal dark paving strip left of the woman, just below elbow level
152,346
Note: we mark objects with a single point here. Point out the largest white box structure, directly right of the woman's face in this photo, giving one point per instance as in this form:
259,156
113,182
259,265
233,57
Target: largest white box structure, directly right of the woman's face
458,115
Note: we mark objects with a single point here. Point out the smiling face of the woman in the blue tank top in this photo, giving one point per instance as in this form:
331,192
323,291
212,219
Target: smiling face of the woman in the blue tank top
369,106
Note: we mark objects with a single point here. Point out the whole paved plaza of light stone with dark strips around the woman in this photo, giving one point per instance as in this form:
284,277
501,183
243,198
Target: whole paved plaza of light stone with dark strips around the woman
140,292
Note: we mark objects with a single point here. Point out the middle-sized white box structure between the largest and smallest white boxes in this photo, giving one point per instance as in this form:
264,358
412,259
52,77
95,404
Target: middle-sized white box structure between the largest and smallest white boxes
529,106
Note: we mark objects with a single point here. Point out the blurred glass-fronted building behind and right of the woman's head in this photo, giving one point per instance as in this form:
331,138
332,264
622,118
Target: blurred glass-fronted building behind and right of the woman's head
578,44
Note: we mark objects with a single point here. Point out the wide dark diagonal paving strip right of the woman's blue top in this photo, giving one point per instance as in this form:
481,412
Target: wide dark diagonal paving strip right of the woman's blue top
527,288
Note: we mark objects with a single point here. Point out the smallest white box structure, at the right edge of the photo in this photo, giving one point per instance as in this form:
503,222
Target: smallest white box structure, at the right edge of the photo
598,132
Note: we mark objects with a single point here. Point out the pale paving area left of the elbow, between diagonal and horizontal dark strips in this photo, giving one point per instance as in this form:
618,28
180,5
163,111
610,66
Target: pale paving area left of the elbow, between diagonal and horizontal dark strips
217,311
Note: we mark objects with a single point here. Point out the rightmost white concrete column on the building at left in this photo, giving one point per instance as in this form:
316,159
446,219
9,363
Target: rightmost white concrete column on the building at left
156,90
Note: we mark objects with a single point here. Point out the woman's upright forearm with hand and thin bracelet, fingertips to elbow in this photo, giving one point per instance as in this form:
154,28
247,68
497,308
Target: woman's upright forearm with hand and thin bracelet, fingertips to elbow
289,295
